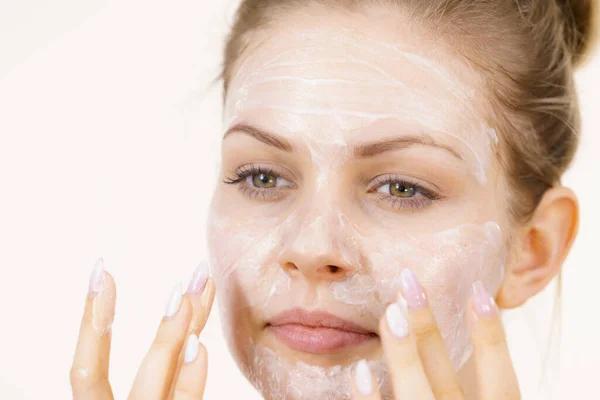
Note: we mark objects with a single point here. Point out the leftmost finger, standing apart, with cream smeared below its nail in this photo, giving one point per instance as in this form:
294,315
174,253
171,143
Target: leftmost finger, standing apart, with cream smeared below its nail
89,372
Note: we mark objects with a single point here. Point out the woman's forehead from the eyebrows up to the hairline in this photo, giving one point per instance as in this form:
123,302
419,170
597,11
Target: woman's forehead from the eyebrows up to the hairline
337,78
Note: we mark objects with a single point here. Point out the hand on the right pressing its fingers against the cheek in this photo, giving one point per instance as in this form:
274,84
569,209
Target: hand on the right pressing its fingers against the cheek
420,368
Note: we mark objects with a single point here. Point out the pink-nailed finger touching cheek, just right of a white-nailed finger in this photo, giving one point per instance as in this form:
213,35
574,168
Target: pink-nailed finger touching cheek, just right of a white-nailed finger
432,350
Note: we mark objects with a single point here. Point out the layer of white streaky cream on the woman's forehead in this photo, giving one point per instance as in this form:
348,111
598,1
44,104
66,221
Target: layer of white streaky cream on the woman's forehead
343,81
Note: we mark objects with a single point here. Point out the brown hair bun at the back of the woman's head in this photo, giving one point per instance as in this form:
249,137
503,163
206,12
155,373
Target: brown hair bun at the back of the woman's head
581,18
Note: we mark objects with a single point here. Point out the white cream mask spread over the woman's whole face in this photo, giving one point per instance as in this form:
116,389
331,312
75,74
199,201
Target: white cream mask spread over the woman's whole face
325,87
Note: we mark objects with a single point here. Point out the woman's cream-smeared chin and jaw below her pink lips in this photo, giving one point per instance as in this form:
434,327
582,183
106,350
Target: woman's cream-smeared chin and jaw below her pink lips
281,372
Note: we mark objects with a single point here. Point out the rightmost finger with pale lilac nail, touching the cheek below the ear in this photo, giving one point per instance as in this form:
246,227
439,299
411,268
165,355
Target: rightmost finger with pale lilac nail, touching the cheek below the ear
495,374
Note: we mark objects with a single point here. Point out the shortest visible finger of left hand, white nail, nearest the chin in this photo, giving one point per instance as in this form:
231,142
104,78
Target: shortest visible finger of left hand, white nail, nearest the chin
192,375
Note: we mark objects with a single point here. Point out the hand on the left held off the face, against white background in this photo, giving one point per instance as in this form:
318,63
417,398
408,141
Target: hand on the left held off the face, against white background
170,369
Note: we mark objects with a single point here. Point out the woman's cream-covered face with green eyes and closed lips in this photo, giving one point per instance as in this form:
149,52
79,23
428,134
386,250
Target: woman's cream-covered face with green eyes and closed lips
351,151
